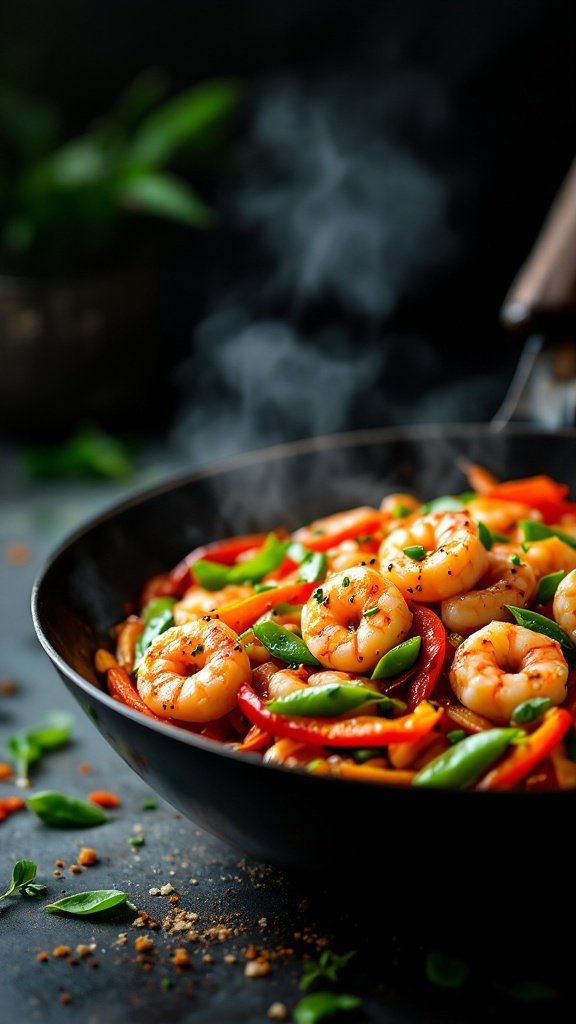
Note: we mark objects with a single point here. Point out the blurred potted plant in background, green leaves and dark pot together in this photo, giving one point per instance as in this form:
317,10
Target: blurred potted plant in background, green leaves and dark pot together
79,337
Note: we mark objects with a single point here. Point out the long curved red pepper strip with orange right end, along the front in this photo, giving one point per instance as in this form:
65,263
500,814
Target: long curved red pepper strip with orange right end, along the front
360,732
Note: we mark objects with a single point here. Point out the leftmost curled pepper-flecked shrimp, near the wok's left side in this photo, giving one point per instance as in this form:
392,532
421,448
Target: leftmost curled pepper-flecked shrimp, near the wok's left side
194,672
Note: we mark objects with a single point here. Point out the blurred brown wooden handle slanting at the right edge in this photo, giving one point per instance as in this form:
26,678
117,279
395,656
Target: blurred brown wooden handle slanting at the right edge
543,297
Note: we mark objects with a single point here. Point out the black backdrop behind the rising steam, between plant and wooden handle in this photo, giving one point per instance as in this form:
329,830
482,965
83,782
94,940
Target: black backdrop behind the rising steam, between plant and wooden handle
393,164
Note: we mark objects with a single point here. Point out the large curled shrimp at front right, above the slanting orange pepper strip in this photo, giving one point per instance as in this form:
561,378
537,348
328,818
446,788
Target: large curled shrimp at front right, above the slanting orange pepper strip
503,665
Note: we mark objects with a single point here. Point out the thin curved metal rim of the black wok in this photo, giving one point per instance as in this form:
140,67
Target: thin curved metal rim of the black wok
172,483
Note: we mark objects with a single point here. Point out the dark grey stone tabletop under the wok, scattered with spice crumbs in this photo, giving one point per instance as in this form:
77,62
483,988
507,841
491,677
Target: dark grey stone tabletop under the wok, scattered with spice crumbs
504,932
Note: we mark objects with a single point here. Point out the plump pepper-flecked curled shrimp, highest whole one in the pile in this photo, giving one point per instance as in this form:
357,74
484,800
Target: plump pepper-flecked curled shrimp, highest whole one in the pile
456,558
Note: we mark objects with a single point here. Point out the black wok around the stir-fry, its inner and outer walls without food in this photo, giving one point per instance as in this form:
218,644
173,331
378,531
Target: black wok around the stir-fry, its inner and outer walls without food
284,817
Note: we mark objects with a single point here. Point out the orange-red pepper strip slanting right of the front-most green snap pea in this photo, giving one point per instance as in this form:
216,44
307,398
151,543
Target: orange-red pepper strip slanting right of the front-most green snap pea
522,759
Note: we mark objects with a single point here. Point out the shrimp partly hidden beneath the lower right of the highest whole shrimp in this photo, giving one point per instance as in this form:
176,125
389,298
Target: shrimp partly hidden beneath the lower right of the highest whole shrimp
504,584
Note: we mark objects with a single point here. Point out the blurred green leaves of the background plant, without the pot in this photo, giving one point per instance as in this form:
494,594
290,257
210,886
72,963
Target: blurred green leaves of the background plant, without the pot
64,203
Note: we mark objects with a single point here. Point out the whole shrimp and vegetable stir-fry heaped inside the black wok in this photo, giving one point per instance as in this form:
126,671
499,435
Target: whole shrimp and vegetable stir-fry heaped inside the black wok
414,645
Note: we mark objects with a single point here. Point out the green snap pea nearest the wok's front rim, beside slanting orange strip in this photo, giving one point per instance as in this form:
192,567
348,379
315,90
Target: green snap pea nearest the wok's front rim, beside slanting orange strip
463,764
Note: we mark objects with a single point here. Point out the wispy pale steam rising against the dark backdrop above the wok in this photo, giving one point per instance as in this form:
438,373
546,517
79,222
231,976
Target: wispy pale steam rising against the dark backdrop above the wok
339,226
